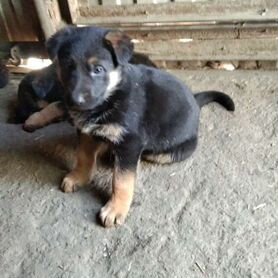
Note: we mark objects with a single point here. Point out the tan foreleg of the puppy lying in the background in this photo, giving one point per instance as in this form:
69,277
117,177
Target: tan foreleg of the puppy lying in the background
50,113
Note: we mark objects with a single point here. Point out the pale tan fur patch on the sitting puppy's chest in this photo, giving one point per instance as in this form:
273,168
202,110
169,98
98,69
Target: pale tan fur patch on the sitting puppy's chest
112,132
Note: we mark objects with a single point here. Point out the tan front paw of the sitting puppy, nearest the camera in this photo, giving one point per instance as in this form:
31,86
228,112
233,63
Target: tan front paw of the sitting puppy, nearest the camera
113,213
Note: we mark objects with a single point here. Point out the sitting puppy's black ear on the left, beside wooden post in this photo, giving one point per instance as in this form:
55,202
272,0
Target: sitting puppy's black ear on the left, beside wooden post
54,43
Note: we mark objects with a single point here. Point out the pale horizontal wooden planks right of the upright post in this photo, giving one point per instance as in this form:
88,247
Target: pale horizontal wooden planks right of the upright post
183,30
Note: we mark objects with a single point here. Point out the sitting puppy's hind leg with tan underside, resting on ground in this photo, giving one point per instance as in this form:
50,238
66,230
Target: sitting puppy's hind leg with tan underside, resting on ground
176,154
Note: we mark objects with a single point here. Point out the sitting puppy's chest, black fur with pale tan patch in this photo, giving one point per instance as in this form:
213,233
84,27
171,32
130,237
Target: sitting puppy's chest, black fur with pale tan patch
112,132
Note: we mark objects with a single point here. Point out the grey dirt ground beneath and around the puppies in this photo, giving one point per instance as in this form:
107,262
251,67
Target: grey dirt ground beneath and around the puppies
214,215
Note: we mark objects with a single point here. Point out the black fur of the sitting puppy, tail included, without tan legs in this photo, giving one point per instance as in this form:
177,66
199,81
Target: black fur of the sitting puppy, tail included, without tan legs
158,114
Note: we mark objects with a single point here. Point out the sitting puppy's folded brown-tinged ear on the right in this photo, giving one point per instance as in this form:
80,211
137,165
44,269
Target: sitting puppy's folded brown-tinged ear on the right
121,44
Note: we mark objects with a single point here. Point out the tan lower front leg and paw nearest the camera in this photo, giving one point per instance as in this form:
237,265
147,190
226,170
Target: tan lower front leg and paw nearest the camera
116,209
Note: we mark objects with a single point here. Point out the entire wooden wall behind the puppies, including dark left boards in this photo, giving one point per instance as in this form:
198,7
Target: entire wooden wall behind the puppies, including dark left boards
179,34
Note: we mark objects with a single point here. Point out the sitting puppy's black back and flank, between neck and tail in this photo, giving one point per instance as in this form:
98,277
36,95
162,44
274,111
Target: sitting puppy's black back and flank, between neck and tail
170,109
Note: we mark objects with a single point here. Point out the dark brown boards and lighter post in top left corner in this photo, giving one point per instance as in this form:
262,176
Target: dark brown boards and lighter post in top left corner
29,20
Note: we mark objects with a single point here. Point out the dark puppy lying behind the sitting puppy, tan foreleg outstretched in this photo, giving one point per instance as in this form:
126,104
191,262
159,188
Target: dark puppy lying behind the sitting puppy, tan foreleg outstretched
41,96
